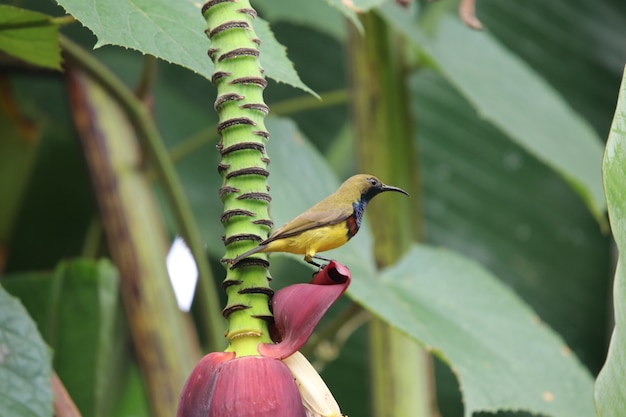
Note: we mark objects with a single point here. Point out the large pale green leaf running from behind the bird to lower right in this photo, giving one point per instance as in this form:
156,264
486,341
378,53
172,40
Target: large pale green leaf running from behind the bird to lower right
465,307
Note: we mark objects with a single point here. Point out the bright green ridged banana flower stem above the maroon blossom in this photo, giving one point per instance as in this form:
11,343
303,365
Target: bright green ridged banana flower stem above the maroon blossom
239,79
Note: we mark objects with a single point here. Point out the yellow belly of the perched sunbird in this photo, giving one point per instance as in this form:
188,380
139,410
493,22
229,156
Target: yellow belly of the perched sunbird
312,241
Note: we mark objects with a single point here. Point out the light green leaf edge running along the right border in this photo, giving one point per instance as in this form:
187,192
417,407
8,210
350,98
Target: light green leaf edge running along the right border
609,391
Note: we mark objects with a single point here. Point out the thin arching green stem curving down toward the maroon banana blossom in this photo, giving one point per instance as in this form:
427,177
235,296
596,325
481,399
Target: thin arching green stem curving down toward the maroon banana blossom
152,141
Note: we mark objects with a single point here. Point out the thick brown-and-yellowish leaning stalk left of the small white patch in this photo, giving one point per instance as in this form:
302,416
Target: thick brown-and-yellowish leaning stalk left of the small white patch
166,350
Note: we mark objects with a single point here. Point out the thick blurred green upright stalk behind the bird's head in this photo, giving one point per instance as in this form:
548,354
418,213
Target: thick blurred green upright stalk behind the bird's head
402,382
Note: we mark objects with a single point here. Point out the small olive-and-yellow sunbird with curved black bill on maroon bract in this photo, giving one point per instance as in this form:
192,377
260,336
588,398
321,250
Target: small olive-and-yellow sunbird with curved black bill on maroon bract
328,224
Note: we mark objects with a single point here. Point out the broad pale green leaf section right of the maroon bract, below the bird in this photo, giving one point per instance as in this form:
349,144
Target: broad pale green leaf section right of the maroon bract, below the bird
504,357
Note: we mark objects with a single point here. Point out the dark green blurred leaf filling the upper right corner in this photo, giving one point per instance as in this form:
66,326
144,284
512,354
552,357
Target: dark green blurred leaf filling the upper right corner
575,46
